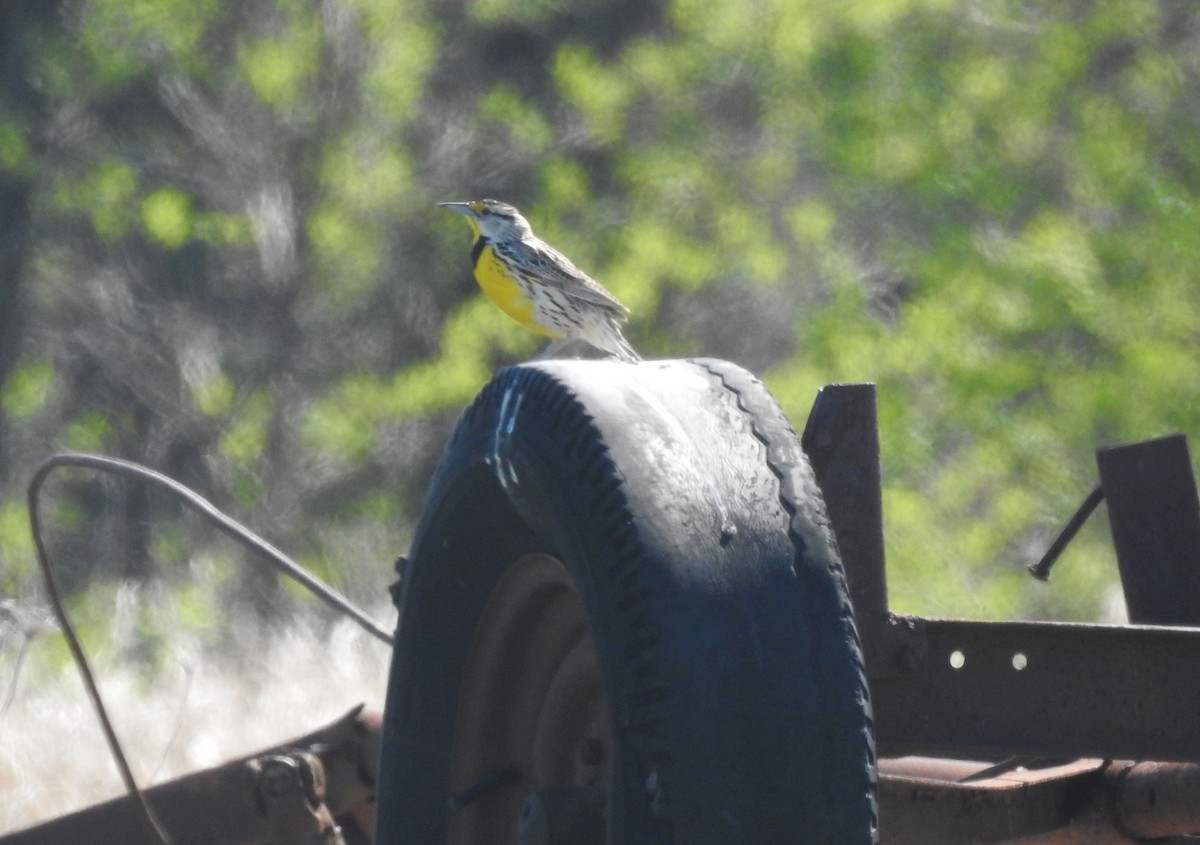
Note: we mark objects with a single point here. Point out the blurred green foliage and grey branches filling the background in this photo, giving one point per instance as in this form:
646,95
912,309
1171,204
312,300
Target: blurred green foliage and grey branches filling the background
236,274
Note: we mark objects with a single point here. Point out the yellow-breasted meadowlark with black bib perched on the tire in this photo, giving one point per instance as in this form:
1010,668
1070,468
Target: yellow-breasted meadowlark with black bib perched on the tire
538,286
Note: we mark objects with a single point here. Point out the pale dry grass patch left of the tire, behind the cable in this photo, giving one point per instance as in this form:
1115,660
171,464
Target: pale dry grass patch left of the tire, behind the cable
200,712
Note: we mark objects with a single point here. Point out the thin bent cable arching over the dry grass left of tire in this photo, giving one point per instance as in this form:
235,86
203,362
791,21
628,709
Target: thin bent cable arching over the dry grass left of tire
203,507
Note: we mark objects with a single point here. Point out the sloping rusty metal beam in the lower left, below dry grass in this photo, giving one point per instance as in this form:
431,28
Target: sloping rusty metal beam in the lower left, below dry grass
223,805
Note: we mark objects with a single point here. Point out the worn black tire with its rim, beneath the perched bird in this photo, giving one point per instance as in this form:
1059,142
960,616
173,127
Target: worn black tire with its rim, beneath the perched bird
625,596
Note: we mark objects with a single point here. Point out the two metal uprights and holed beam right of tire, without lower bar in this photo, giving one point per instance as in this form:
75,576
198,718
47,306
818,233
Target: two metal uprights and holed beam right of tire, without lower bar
958,688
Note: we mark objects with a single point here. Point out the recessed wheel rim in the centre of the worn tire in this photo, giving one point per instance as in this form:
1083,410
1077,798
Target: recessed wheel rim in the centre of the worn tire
532,716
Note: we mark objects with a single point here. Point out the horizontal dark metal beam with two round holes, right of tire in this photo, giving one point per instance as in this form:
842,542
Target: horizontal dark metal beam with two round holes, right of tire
1049,690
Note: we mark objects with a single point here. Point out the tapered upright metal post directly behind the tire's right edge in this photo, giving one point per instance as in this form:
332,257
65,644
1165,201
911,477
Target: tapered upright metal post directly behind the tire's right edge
842,440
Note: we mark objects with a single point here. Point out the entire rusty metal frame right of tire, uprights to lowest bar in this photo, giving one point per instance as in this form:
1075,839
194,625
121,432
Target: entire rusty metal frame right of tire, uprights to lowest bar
961,690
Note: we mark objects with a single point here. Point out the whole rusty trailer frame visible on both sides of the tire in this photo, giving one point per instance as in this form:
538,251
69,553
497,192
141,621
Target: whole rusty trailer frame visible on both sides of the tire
1018,733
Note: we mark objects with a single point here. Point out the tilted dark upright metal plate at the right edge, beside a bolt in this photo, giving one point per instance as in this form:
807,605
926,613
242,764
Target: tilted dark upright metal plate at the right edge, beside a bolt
1155,517
